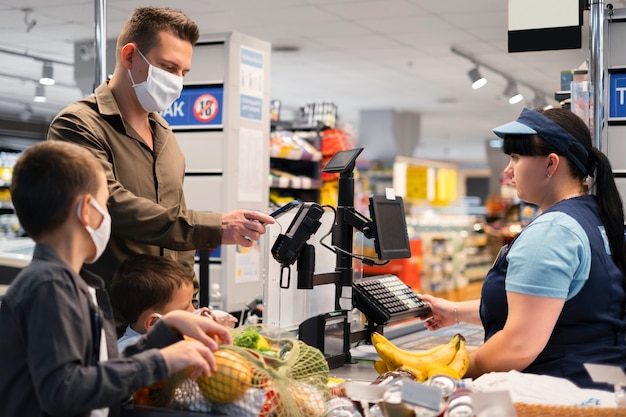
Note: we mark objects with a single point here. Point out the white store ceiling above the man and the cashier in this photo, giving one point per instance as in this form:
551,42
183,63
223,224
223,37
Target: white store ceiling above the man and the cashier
362,54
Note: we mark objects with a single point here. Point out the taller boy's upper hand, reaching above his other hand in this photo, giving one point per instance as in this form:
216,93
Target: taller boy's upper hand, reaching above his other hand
203,329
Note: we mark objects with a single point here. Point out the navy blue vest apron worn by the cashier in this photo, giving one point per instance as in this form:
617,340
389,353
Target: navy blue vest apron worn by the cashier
591,327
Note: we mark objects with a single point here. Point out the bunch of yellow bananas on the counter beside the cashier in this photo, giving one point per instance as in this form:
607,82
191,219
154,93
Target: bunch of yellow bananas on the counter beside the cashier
450,358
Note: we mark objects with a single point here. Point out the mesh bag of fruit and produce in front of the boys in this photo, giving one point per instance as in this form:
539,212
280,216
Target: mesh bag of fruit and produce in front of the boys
278,377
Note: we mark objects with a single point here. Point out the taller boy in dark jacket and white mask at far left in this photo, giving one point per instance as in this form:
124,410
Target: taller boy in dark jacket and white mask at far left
58,354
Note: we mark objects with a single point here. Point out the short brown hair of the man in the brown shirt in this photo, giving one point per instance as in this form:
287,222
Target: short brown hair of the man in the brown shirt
146,24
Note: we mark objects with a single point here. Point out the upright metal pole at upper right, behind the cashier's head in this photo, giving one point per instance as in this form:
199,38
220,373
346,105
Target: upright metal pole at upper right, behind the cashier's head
596,67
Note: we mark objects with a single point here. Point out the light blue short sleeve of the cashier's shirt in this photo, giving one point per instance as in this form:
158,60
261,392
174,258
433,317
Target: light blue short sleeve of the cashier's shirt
550,258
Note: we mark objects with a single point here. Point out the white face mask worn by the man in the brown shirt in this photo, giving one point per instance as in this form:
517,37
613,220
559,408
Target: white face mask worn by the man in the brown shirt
159,90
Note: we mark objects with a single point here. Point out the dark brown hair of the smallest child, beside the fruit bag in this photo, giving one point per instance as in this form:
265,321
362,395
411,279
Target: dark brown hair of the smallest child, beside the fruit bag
145,281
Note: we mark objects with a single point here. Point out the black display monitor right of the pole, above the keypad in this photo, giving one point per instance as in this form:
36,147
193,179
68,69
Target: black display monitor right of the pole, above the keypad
389,221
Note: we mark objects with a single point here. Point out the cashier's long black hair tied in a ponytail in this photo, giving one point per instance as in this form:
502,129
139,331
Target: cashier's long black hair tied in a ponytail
602,184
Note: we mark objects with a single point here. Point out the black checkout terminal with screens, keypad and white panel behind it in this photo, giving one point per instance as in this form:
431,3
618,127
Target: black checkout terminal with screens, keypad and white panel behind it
312,283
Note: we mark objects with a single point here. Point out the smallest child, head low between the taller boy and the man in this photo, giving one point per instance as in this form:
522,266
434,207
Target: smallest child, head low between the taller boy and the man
146,287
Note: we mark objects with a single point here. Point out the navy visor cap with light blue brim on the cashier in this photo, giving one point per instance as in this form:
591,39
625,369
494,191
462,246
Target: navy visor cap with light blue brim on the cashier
532,122
